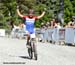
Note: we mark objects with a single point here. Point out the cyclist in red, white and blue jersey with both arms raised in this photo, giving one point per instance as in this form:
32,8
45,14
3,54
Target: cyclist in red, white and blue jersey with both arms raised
29,22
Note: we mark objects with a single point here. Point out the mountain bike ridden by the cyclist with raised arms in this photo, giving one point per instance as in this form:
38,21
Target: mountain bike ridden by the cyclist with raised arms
32,51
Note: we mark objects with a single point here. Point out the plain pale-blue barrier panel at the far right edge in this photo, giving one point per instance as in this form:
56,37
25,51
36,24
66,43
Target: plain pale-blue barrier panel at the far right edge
69,36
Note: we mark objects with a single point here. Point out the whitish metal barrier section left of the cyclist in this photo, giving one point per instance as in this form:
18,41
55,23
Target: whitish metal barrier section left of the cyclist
15,33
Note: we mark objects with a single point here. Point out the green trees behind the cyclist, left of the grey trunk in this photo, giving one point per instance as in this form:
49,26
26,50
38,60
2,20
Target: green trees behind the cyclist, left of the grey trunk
8,9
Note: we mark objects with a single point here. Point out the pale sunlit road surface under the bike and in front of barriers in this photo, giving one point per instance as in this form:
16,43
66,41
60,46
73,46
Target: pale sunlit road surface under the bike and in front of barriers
14,52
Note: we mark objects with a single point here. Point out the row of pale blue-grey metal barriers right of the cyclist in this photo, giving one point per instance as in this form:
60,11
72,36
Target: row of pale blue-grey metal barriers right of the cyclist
65,35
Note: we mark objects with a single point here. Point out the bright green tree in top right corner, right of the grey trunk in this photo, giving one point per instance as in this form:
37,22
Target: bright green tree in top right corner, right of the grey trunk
69,10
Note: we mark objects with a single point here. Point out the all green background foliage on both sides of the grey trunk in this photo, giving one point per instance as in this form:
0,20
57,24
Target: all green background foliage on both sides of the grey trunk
8,10
